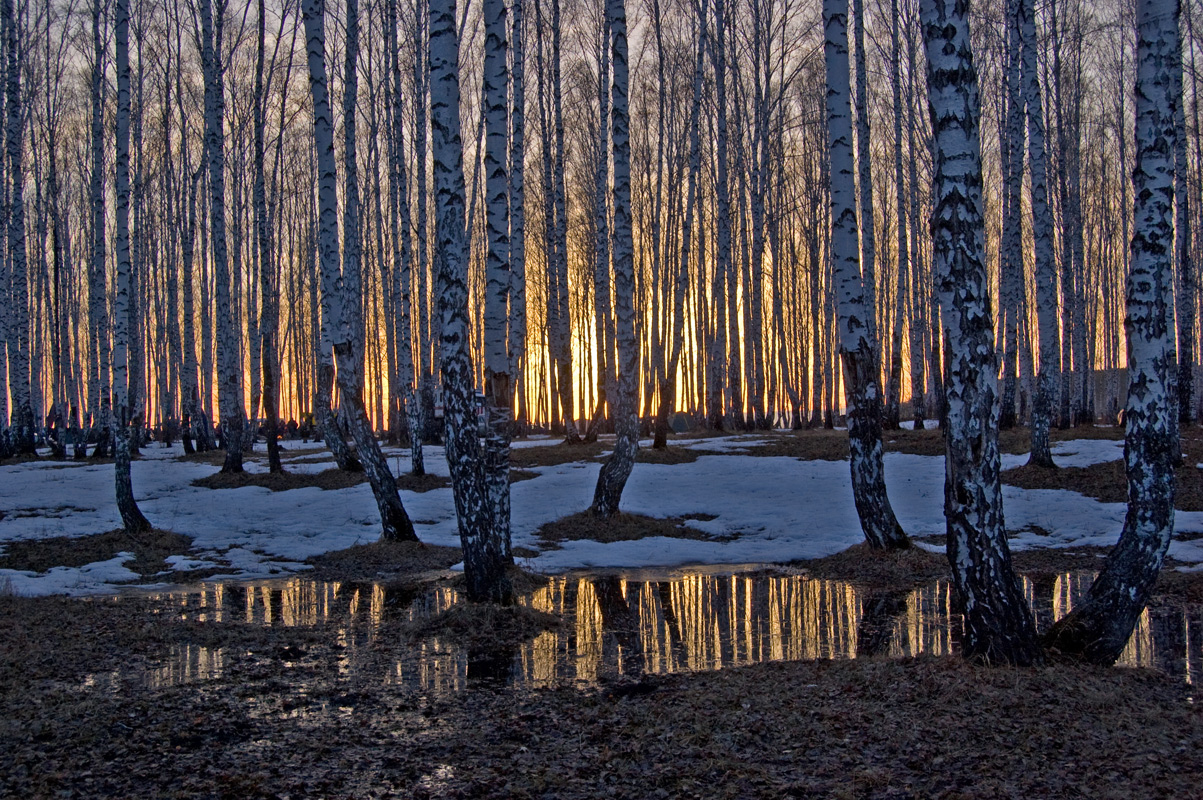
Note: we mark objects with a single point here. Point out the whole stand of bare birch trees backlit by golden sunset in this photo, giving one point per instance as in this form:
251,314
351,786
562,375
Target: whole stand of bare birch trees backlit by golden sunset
252,222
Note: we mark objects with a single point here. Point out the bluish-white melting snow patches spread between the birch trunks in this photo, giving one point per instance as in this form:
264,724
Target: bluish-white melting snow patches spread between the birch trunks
767,509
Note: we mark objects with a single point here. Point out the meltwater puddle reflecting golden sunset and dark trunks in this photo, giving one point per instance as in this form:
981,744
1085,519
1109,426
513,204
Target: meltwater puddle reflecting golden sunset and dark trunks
631,627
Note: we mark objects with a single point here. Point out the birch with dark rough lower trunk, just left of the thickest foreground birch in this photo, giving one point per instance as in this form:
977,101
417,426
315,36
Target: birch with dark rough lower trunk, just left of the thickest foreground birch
878,519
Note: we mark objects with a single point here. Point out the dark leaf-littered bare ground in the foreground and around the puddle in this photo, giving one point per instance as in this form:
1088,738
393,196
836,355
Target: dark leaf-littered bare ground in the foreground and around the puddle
85,712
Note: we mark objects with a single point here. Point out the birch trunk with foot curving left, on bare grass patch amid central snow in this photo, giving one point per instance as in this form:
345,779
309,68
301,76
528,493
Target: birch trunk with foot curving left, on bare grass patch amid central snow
615,472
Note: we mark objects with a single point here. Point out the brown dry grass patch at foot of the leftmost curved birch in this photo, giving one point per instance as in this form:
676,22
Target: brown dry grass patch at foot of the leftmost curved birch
150,552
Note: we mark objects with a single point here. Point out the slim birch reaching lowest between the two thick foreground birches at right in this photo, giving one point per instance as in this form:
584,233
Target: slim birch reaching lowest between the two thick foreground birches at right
1042,235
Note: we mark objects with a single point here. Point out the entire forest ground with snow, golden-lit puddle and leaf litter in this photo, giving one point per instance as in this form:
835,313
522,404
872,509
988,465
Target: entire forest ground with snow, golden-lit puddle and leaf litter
171,692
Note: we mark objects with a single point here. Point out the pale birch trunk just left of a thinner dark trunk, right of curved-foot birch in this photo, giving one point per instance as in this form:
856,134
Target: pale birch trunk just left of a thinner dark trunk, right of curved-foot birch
229,364
